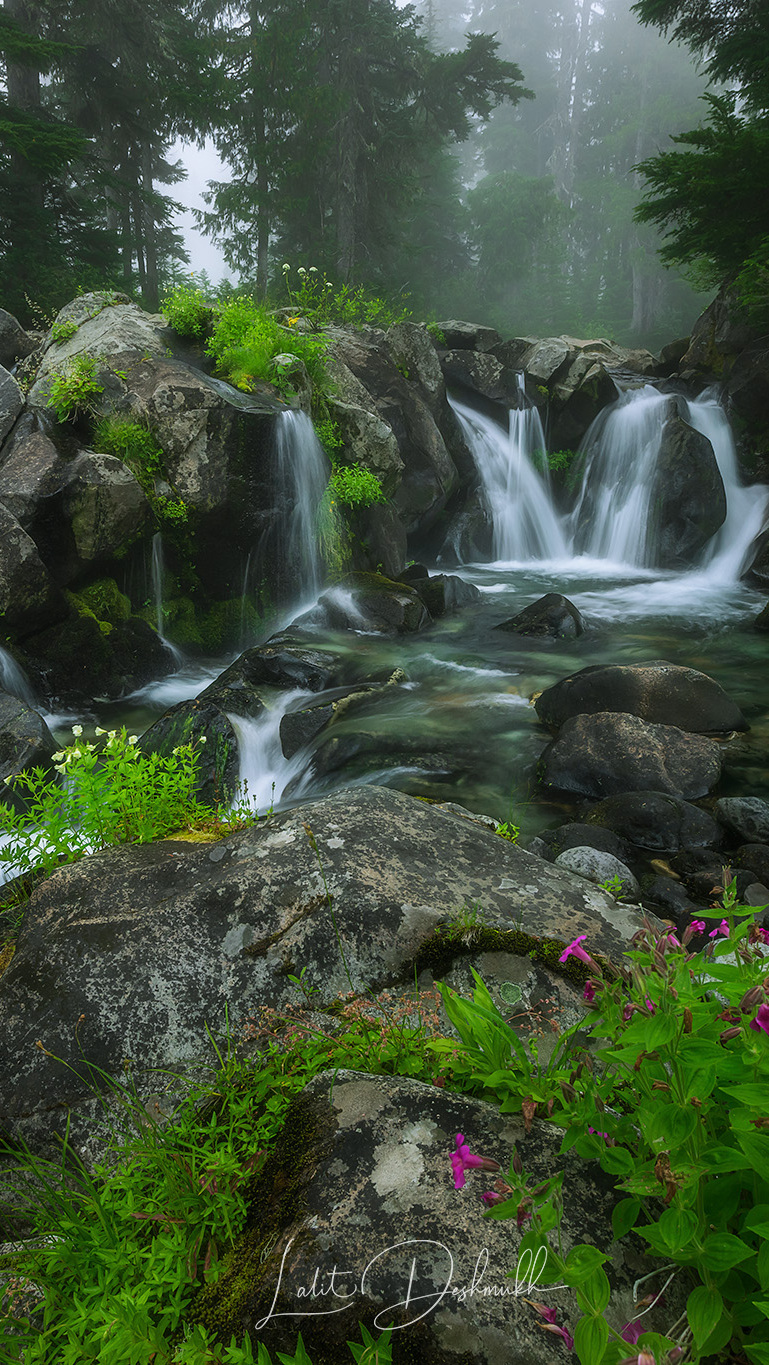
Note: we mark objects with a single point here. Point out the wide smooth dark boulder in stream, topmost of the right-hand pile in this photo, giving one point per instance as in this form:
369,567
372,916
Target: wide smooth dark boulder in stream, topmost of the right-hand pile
660,693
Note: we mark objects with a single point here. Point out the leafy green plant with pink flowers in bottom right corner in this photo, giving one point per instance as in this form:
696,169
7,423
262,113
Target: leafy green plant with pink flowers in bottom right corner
671,1104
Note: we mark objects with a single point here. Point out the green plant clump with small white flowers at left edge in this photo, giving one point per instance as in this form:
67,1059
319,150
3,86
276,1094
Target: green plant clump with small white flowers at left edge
113,796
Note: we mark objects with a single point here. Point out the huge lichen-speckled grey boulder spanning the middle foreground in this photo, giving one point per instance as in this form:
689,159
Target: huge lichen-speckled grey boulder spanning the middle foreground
154,944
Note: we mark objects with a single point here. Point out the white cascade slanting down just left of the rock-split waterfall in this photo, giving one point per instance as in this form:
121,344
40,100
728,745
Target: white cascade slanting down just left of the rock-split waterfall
525,522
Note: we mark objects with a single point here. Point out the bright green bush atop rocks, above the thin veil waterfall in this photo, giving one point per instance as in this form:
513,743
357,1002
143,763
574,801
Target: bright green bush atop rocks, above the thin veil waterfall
247,341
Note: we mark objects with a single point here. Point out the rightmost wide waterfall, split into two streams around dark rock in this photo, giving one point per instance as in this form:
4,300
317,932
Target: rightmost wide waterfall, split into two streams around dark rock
613,517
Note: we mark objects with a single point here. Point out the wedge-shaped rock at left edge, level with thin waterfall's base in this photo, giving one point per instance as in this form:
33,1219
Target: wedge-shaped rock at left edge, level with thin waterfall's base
29,599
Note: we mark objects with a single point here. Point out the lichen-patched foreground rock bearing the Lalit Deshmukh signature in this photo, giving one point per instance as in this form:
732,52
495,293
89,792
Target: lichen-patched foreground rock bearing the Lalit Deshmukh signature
360,1196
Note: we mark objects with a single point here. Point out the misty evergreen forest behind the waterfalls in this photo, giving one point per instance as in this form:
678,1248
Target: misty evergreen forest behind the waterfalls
486,158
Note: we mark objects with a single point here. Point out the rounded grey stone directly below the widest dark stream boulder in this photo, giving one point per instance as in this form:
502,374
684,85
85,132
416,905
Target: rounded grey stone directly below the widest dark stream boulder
611,753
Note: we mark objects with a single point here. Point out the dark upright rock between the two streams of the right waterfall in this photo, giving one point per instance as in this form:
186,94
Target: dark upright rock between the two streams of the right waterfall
688,503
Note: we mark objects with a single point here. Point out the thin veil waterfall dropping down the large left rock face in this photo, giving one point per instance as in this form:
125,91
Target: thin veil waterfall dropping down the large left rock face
303,473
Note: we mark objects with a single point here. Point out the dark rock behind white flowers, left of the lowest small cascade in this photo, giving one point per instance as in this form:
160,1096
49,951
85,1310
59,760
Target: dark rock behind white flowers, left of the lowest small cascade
208,728
